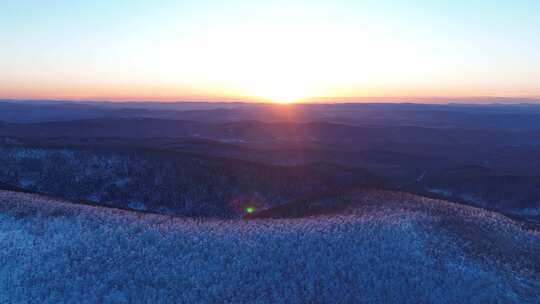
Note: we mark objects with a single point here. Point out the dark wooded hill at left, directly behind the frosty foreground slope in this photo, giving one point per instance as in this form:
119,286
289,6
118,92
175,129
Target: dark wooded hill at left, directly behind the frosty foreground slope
168,182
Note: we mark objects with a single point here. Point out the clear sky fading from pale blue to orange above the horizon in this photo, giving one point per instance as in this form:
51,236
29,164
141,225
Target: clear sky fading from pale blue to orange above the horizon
268,50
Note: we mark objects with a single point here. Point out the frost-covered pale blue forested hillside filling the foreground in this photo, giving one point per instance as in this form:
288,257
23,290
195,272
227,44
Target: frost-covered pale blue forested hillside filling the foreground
389,248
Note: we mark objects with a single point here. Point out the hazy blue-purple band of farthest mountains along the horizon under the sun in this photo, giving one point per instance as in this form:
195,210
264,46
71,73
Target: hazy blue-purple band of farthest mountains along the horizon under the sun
498,116
